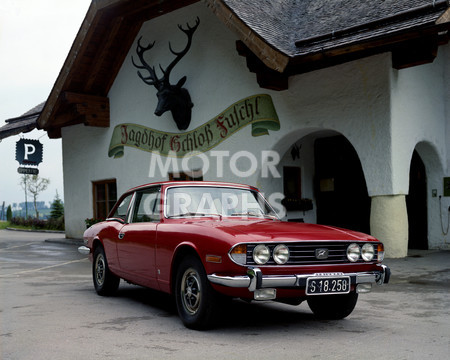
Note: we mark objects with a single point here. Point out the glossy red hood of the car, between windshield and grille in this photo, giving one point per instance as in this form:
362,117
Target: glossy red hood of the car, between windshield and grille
268,231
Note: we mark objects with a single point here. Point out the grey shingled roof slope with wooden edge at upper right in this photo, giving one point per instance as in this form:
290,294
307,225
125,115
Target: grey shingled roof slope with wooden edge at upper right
300,31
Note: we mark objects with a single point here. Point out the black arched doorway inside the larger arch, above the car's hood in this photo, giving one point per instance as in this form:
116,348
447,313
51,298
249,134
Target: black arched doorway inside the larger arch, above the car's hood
340,187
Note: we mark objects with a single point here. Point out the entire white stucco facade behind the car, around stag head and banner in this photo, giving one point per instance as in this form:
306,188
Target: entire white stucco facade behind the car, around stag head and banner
381,111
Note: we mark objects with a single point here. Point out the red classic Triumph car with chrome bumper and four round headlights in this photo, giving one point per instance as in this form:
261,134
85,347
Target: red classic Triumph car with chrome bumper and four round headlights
204,242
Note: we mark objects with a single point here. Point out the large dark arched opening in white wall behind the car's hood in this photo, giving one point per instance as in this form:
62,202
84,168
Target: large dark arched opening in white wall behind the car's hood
324,182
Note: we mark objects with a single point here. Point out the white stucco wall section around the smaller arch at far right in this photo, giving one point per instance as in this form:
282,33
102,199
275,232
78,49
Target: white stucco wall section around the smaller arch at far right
419,98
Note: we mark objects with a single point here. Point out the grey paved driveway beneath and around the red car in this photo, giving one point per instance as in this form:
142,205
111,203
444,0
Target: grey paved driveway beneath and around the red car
49,310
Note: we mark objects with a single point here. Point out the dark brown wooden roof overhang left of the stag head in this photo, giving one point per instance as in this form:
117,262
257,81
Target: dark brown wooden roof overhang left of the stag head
79,95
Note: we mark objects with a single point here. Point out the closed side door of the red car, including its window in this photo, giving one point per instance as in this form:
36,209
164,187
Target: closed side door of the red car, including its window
136,242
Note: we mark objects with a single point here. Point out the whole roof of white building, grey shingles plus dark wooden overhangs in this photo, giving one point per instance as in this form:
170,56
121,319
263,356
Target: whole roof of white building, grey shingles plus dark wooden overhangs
279,38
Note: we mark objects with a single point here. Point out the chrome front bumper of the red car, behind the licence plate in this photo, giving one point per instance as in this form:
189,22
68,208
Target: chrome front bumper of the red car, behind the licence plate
255,280
